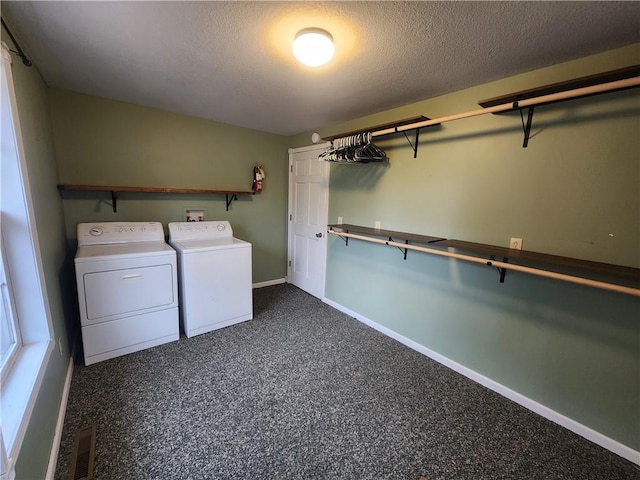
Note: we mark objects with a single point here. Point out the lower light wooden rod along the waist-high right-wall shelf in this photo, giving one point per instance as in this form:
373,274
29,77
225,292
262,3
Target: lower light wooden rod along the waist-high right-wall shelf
497,264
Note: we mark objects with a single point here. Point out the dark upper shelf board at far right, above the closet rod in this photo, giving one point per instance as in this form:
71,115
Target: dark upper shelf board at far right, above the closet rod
581,82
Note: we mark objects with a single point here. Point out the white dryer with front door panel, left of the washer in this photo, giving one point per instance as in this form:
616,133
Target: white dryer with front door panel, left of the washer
127,288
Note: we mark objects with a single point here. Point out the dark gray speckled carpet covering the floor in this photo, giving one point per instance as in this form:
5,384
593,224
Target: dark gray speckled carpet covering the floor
306,392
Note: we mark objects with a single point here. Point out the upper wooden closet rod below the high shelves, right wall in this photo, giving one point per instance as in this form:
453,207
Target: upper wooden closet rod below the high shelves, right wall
553,97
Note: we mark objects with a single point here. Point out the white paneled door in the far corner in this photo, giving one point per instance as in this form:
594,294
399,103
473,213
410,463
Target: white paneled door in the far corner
308,203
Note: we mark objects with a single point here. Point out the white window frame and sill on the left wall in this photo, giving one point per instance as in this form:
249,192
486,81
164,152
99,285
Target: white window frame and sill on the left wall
21,384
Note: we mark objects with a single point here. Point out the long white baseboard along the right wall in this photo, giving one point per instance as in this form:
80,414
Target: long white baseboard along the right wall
576,427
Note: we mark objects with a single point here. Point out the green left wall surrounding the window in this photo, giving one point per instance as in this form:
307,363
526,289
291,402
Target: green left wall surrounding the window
31,96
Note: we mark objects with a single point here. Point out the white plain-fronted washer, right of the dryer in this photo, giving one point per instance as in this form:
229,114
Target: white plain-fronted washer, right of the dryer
214,276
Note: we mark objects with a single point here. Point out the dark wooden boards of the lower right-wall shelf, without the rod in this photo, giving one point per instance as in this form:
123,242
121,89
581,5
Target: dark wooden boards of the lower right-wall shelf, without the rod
493,252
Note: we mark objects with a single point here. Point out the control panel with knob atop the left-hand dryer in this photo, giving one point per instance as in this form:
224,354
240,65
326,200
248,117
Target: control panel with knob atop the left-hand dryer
119,232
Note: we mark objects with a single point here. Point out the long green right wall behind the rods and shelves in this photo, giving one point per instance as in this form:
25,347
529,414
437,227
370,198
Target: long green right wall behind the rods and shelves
575,191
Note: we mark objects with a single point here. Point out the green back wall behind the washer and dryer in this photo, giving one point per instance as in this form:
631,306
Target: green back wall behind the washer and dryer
105,142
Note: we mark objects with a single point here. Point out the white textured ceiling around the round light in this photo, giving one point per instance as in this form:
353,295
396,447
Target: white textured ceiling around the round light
231,61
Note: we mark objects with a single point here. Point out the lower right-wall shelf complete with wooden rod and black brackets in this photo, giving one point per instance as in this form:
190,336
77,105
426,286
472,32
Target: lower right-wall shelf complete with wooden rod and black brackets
502,258
